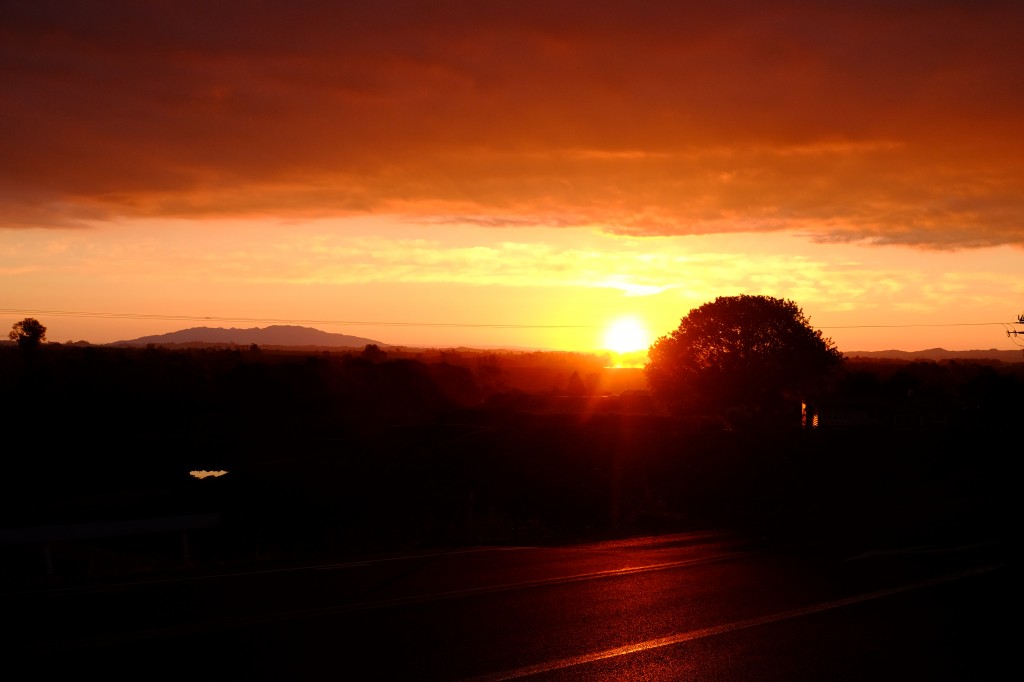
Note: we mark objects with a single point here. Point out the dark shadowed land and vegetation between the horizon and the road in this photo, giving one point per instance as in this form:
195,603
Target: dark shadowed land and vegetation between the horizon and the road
345,453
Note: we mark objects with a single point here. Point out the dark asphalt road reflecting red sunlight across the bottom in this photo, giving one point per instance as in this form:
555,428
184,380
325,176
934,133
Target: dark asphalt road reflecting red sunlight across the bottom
706,606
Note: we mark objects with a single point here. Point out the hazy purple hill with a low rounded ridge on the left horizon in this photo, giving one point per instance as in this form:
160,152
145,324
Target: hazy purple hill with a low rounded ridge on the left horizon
277,335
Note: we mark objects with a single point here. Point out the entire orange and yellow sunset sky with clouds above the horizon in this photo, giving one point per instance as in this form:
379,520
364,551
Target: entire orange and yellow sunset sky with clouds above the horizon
513,174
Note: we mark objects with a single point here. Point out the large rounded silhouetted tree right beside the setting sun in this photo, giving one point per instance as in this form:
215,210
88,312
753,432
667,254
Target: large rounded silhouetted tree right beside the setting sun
741,357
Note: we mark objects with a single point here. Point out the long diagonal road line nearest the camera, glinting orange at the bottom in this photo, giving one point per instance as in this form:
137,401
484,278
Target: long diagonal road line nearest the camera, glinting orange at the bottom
679,638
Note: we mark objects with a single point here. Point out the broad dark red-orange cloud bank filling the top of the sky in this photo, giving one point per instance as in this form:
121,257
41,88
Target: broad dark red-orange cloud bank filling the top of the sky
892,122
